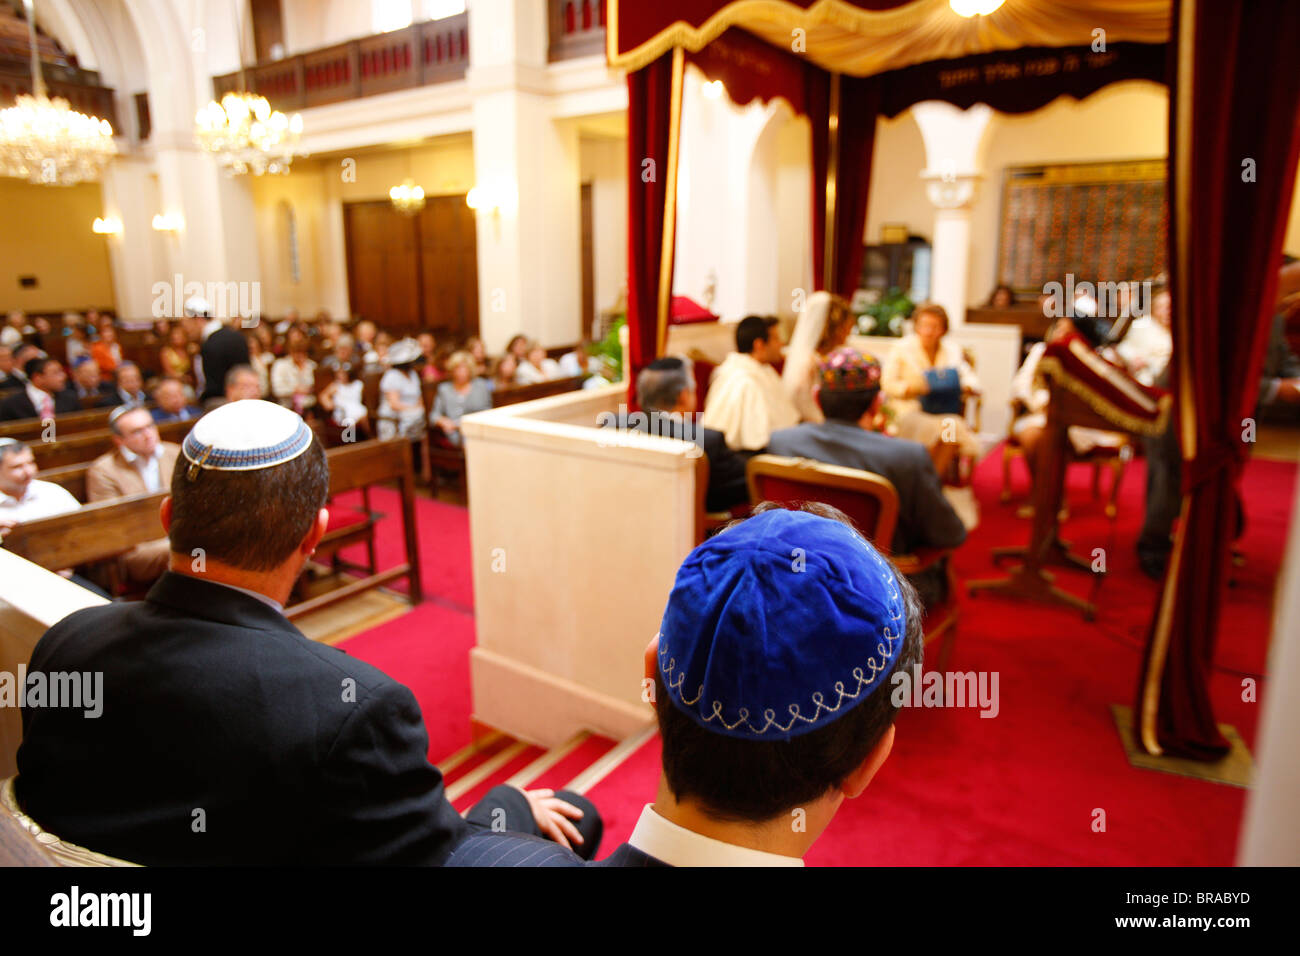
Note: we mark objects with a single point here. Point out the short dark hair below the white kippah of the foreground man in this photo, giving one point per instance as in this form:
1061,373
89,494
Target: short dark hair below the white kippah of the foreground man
249,520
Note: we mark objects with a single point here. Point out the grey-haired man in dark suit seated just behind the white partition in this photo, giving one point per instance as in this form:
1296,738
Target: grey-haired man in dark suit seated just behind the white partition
666,391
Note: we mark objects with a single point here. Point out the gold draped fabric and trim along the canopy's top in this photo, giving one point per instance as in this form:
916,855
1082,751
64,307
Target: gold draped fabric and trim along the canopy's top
925,31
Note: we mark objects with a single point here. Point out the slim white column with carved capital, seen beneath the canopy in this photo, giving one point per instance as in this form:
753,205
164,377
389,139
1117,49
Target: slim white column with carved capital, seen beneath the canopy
954,140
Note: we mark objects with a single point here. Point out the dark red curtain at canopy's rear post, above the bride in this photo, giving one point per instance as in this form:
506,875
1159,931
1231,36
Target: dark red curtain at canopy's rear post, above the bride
859,109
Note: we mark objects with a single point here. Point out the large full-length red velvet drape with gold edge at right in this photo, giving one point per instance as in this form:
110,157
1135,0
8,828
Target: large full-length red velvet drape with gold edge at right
1234,129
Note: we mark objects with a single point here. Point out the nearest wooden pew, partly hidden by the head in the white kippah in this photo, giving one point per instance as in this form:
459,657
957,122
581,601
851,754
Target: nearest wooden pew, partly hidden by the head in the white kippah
110,529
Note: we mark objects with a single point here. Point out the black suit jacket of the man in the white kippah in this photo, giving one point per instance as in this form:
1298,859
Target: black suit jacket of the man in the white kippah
214,703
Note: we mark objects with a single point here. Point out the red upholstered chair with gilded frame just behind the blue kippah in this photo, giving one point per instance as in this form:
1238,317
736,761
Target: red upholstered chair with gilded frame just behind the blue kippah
872,504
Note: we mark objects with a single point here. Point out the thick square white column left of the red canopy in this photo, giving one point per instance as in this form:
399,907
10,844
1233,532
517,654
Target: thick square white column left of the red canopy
528,171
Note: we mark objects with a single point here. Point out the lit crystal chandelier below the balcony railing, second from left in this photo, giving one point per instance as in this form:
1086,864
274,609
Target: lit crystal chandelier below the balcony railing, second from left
246,136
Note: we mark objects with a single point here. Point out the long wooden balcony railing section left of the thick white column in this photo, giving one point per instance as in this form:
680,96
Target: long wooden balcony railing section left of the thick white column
435,51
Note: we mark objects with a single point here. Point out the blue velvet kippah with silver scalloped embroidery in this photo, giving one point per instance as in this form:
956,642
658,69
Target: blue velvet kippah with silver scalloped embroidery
779,626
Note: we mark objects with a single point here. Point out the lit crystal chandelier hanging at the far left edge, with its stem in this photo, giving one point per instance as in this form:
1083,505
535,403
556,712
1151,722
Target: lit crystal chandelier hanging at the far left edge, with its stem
46,141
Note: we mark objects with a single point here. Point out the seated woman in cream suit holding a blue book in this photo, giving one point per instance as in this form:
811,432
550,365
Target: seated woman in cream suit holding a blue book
926,382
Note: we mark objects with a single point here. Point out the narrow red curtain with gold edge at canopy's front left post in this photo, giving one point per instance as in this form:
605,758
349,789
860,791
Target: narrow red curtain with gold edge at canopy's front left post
649,124
